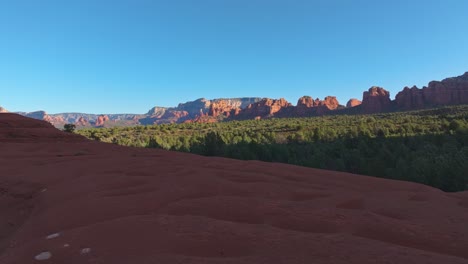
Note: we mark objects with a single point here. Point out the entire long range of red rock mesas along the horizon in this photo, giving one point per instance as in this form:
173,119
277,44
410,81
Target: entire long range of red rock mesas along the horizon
450,91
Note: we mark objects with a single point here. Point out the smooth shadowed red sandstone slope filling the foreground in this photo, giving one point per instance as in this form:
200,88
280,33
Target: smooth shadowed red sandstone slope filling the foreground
88,202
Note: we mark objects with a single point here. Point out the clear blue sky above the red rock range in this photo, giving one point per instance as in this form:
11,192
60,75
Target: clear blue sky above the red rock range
115,56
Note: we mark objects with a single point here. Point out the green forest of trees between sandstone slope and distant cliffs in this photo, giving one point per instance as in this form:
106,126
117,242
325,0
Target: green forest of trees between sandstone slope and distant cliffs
427,146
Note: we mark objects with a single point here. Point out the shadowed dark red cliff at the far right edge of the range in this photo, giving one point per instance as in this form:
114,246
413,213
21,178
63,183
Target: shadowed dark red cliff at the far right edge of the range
450,91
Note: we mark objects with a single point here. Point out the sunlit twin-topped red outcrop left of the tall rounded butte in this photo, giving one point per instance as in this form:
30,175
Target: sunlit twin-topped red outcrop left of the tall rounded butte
306,105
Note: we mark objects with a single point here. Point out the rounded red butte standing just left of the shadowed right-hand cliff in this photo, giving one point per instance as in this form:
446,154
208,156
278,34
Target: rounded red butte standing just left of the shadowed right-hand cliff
376,100
